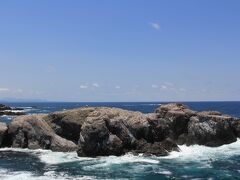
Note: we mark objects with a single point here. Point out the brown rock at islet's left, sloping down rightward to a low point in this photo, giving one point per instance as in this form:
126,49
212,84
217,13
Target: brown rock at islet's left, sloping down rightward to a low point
34,133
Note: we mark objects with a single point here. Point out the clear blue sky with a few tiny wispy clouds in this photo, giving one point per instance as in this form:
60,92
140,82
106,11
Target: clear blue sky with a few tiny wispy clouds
127,50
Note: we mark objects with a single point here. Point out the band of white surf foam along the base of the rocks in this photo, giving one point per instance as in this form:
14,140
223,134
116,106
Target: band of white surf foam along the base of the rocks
187,153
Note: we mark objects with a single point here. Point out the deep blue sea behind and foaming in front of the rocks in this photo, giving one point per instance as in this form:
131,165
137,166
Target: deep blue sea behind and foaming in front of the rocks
193,162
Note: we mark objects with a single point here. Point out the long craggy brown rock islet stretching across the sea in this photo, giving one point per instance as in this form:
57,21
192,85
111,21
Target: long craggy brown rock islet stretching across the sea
102,131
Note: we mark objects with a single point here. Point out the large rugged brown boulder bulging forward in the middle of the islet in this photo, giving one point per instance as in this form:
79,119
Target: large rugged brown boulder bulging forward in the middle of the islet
103,124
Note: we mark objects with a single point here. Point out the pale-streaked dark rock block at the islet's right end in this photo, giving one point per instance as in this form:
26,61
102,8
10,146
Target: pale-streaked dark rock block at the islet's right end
210,129
